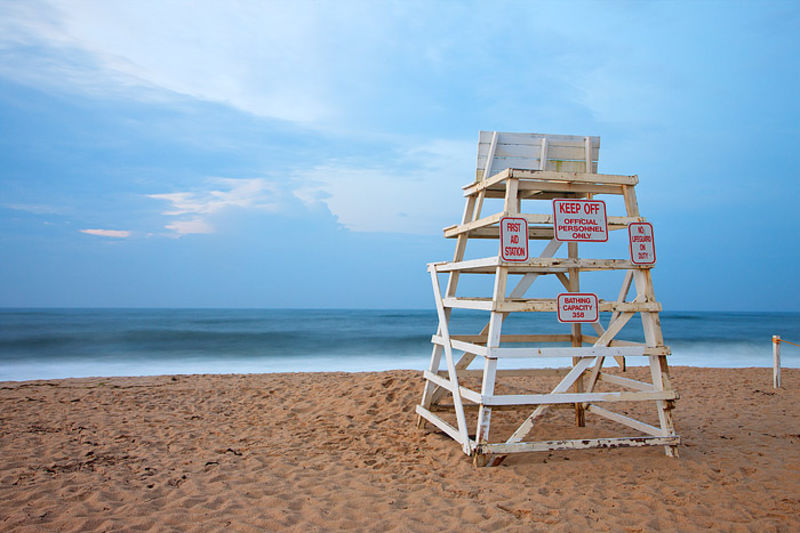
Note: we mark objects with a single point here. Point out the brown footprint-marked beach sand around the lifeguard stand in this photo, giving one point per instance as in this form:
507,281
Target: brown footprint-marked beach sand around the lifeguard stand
337,450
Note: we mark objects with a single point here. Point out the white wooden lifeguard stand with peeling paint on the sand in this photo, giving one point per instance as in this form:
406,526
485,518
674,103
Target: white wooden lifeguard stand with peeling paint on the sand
519,167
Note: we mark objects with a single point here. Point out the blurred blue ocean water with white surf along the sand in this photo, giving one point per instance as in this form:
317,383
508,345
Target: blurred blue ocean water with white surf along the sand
59,343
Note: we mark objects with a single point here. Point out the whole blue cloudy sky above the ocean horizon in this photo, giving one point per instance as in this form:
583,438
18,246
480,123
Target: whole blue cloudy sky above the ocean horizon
307,154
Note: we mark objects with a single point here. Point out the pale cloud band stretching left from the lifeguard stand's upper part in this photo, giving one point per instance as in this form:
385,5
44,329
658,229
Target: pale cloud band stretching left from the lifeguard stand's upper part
411,193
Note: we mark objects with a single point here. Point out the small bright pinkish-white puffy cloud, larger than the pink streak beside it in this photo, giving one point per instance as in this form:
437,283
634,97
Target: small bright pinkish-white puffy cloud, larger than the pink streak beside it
198,207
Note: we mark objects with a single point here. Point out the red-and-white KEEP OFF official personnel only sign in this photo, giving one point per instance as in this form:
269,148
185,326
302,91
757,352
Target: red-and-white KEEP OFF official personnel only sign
580,220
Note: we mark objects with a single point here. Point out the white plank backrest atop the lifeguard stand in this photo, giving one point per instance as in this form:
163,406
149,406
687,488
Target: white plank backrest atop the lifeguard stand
536,151
